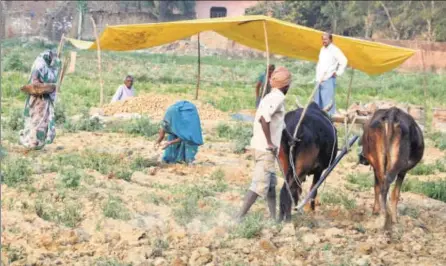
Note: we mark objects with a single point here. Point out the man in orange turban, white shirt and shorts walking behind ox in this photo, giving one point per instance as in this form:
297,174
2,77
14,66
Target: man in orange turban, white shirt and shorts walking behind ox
267,134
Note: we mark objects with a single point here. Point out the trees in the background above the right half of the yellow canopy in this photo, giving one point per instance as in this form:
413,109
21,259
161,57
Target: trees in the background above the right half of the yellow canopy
394,19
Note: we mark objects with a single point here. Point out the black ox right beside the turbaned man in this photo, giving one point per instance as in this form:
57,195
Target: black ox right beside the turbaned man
313,152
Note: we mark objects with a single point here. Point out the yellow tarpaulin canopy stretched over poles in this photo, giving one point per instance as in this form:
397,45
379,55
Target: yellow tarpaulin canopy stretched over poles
284,38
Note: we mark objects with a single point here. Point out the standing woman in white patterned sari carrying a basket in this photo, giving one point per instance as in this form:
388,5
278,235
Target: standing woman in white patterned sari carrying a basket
39,128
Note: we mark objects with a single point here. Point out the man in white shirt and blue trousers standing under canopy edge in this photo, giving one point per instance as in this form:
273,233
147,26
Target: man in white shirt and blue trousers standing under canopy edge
332,63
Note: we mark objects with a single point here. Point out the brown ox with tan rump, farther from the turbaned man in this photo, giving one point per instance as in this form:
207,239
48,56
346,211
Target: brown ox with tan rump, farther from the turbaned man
392,144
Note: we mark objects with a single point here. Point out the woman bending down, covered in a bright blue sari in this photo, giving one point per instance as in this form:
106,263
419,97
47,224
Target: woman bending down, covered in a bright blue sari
182,124
